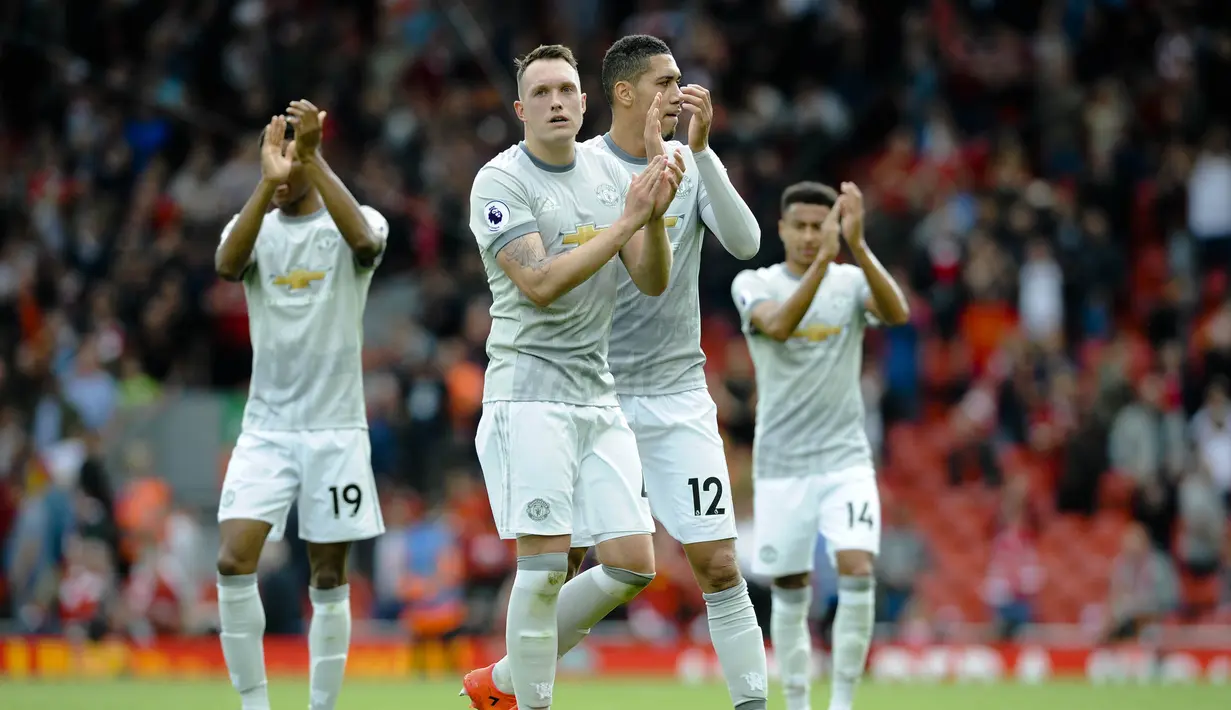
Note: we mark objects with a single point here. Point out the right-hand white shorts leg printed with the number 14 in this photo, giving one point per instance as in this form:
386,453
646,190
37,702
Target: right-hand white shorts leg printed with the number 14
851,511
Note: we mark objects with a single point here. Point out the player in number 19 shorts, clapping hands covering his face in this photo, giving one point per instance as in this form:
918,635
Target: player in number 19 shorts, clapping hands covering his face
306,269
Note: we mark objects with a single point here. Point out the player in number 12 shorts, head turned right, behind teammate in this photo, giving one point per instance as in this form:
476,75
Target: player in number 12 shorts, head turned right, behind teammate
658,364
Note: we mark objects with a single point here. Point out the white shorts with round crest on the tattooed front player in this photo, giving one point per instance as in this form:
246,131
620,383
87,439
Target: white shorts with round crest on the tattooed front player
553,469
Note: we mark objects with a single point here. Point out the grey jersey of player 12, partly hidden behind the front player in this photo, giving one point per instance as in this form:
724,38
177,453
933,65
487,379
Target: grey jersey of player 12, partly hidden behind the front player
656,346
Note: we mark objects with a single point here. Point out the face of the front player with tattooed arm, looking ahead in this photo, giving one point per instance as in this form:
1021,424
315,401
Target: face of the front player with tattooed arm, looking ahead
552,103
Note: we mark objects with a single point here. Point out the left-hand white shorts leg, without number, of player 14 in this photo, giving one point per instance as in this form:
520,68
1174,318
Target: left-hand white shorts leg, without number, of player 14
786,515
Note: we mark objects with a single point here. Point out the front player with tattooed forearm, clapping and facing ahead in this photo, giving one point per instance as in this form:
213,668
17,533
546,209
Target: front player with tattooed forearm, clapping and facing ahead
551,216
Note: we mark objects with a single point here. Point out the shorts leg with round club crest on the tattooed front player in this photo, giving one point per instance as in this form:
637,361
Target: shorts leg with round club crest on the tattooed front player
530,457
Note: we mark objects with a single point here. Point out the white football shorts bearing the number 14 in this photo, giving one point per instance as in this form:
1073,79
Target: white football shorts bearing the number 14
844,506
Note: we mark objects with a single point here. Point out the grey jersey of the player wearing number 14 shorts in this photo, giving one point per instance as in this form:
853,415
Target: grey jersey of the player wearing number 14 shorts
811,417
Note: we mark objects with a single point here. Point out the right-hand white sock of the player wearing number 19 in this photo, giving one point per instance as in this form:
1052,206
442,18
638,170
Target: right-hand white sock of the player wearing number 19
329,639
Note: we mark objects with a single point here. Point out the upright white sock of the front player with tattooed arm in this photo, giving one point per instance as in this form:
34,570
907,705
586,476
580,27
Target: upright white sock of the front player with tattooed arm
531,629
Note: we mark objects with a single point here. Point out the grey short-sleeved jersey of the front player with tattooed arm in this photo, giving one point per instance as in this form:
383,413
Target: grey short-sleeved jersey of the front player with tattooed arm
556,354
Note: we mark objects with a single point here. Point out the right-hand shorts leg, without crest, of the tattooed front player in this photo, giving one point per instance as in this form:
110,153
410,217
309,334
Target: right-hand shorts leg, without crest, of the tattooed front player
610,498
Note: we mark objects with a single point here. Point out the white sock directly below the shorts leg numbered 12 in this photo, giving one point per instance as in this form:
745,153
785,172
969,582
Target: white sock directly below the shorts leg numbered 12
740,647
